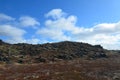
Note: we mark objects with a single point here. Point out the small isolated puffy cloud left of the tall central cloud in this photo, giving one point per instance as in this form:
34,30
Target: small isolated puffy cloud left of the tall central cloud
27,21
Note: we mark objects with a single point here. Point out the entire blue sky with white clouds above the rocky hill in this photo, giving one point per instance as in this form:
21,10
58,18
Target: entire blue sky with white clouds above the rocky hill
45,21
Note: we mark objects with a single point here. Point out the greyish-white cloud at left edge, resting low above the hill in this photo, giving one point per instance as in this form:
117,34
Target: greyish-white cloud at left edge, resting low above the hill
15,35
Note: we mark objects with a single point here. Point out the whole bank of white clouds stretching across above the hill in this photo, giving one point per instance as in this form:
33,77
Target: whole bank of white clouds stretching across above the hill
60,26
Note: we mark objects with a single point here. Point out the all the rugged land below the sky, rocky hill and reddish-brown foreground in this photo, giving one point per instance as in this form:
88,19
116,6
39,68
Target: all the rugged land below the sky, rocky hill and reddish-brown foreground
58,61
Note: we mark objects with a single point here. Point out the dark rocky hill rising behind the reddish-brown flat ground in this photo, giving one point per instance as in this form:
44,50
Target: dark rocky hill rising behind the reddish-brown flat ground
28,53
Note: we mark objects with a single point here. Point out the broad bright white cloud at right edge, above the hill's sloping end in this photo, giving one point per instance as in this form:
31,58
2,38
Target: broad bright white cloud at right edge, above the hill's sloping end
106,34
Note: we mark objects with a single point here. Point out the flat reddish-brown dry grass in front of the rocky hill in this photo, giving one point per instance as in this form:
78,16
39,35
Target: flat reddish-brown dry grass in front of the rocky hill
62,70
